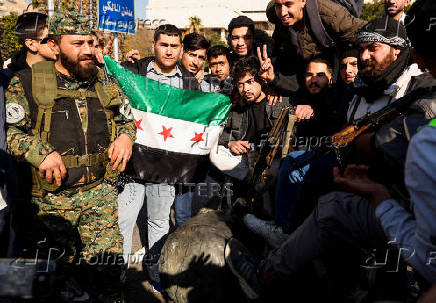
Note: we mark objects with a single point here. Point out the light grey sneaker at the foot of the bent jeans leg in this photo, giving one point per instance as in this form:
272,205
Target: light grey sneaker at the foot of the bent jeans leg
270,232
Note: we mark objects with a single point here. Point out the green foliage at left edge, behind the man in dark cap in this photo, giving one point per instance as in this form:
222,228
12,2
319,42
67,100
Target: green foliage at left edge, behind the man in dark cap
8,40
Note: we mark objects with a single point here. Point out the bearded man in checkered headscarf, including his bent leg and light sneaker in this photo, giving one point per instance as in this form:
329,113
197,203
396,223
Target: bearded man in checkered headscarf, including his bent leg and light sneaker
387,75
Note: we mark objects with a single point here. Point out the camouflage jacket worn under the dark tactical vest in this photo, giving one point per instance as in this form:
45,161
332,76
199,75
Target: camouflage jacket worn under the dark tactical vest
28,148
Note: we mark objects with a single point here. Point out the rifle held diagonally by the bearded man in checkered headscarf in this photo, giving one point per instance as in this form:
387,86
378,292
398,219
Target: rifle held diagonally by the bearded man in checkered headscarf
366,123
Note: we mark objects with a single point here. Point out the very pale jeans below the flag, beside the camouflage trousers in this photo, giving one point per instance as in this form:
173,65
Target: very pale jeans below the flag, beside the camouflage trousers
159,199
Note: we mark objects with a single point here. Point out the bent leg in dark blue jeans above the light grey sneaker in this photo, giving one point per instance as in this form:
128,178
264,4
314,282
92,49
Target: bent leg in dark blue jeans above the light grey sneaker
312,180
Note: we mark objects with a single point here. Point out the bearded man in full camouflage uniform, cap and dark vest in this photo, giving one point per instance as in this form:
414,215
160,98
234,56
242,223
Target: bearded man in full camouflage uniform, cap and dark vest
75,140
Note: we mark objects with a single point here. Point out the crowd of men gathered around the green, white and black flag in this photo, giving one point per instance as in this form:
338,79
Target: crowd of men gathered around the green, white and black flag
72,175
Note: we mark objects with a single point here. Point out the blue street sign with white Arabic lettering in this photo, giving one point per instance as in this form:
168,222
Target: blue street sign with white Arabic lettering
116,16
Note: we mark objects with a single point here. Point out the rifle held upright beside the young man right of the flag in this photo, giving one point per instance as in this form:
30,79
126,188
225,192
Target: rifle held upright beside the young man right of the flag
283,125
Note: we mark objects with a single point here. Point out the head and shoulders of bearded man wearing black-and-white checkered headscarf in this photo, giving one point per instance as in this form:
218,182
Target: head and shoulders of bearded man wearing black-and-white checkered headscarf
386,71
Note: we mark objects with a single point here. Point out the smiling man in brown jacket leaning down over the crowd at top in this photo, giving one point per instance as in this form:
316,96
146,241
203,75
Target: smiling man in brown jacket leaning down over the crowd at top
305,29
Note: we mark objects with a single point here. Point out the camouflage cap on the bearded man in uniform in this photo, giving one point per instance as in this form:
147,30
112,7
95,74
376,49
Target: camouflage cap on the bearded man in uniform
68,23
